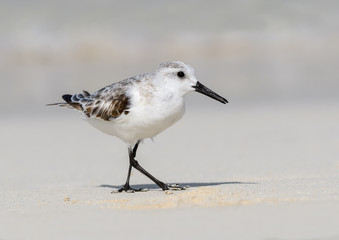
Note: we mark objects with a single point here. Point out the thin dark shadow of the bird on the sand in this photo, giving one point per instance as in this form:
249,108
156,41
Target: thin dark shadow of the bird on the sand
191,184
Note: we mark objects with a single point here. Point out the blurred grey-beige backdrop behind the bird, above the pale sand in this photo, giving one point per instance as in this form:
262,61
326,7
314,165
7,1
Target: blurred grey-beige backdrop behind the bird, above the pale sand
247,50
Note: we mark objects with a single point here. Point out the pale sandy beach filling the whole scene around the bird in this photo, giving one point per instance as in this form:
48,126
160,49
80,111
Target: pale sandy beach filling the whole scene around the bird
263,167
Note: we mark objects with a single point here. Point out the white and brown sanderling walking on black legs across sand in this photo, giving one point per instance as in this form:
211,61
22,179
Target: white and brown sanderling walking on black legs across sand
140,107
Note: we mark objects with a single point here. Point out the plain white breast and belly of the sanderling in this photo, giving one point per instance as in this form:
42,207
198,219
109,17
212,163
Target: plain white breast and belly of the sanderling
149,114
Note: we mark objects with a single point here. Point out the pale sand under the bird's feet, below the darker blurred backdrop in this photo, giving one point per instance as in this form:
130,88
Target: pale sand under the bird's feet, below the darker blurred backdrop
261,171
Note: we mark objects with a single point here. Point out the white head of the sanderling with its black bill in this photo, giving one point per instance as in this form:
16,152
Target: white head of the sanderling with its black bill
179,77
